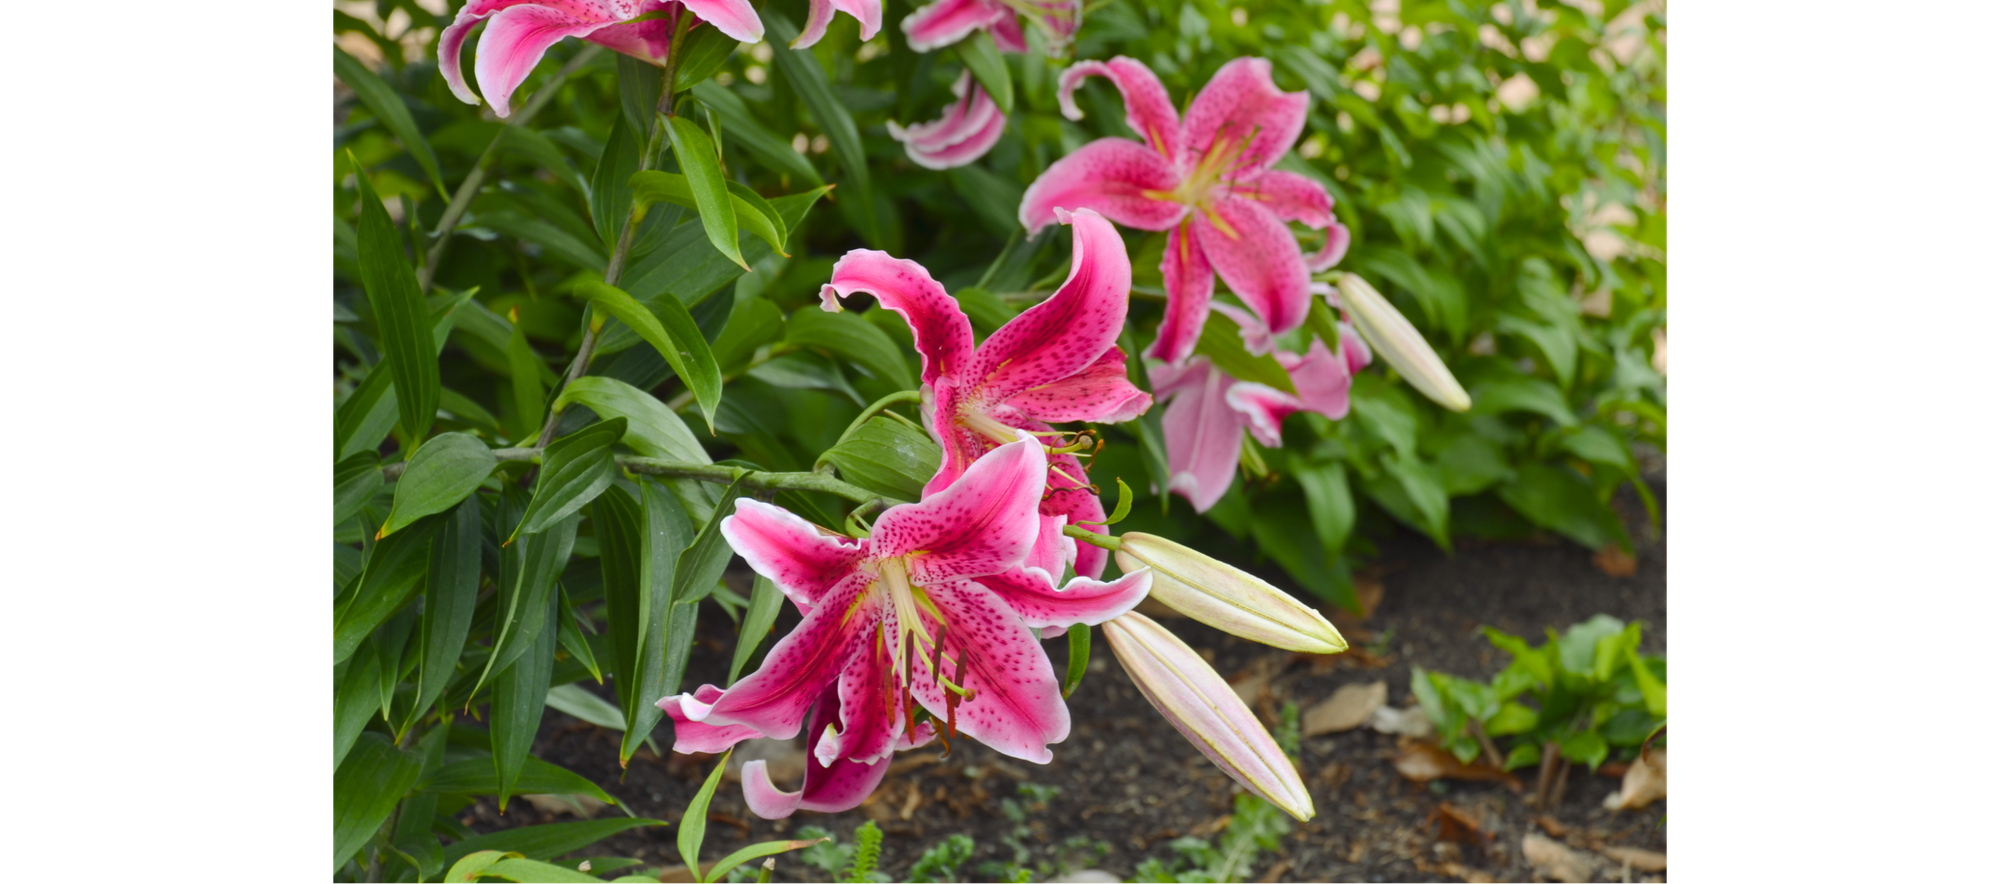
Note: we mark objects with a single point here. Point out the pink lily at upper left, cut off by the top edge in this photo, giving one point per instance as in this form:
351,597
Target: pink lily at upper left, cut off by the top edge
521,31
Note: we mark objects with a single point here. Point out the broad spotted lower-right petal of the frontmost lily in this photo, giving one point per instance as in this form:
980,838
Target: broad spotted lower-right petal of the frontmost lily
1017,705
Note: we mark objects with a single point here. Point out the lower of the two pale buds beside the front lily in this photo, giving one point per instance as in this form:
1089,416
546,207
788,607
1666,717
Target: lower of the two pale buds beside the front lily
1201,705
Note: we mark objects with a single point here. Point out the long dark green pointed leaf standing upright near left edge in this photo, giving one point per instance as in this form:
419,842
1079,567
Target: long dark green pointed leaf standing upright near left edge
401,313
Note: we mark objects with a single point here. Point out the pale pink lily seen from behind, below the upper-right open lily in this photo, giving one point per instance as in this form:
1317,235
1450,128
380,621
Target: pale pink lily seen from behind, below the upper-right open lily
1209,411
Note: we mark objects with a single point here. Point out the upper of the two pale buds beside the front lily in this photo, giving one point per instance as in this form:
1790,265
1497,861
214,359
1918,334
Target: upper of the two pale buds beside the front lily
1227,599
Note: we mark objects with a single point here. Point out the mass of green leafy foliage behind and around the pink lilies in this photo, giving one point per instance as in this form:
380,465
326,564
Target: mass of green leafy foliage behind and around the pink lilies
1503,171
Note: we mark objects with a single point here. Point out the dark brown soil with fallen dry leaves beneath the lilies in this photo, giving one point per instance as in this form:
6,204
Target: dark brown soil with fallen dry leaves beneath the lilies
1131,783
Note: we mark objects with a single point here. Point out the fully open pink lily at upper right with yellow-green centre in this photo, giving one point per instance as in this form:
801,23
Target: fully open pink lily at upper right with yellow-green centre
1209,181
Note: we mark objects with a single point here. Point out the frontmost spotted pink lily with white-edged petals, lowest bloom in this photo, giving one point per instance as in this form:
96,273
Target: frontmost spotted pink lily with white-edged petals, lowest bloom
929,611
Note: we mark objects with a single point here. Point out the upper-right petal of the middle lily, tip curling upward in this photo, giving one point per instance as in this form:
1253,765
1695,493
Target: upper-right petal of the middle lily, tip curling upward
1071,331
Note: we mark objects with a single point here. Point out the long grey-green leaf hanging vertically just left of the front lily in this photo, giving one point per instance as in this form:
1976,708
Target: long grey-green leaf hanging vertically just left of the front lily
667,631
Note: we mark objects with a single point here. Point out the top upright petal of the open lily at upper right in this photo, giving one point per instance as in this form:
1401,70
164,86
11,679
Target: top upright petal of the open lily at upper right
1243,103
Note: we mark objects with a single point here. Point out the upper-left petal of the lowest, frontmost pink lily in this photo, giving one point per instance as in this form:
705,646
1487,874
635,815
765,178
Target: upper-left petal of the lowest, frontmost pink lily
803,561
